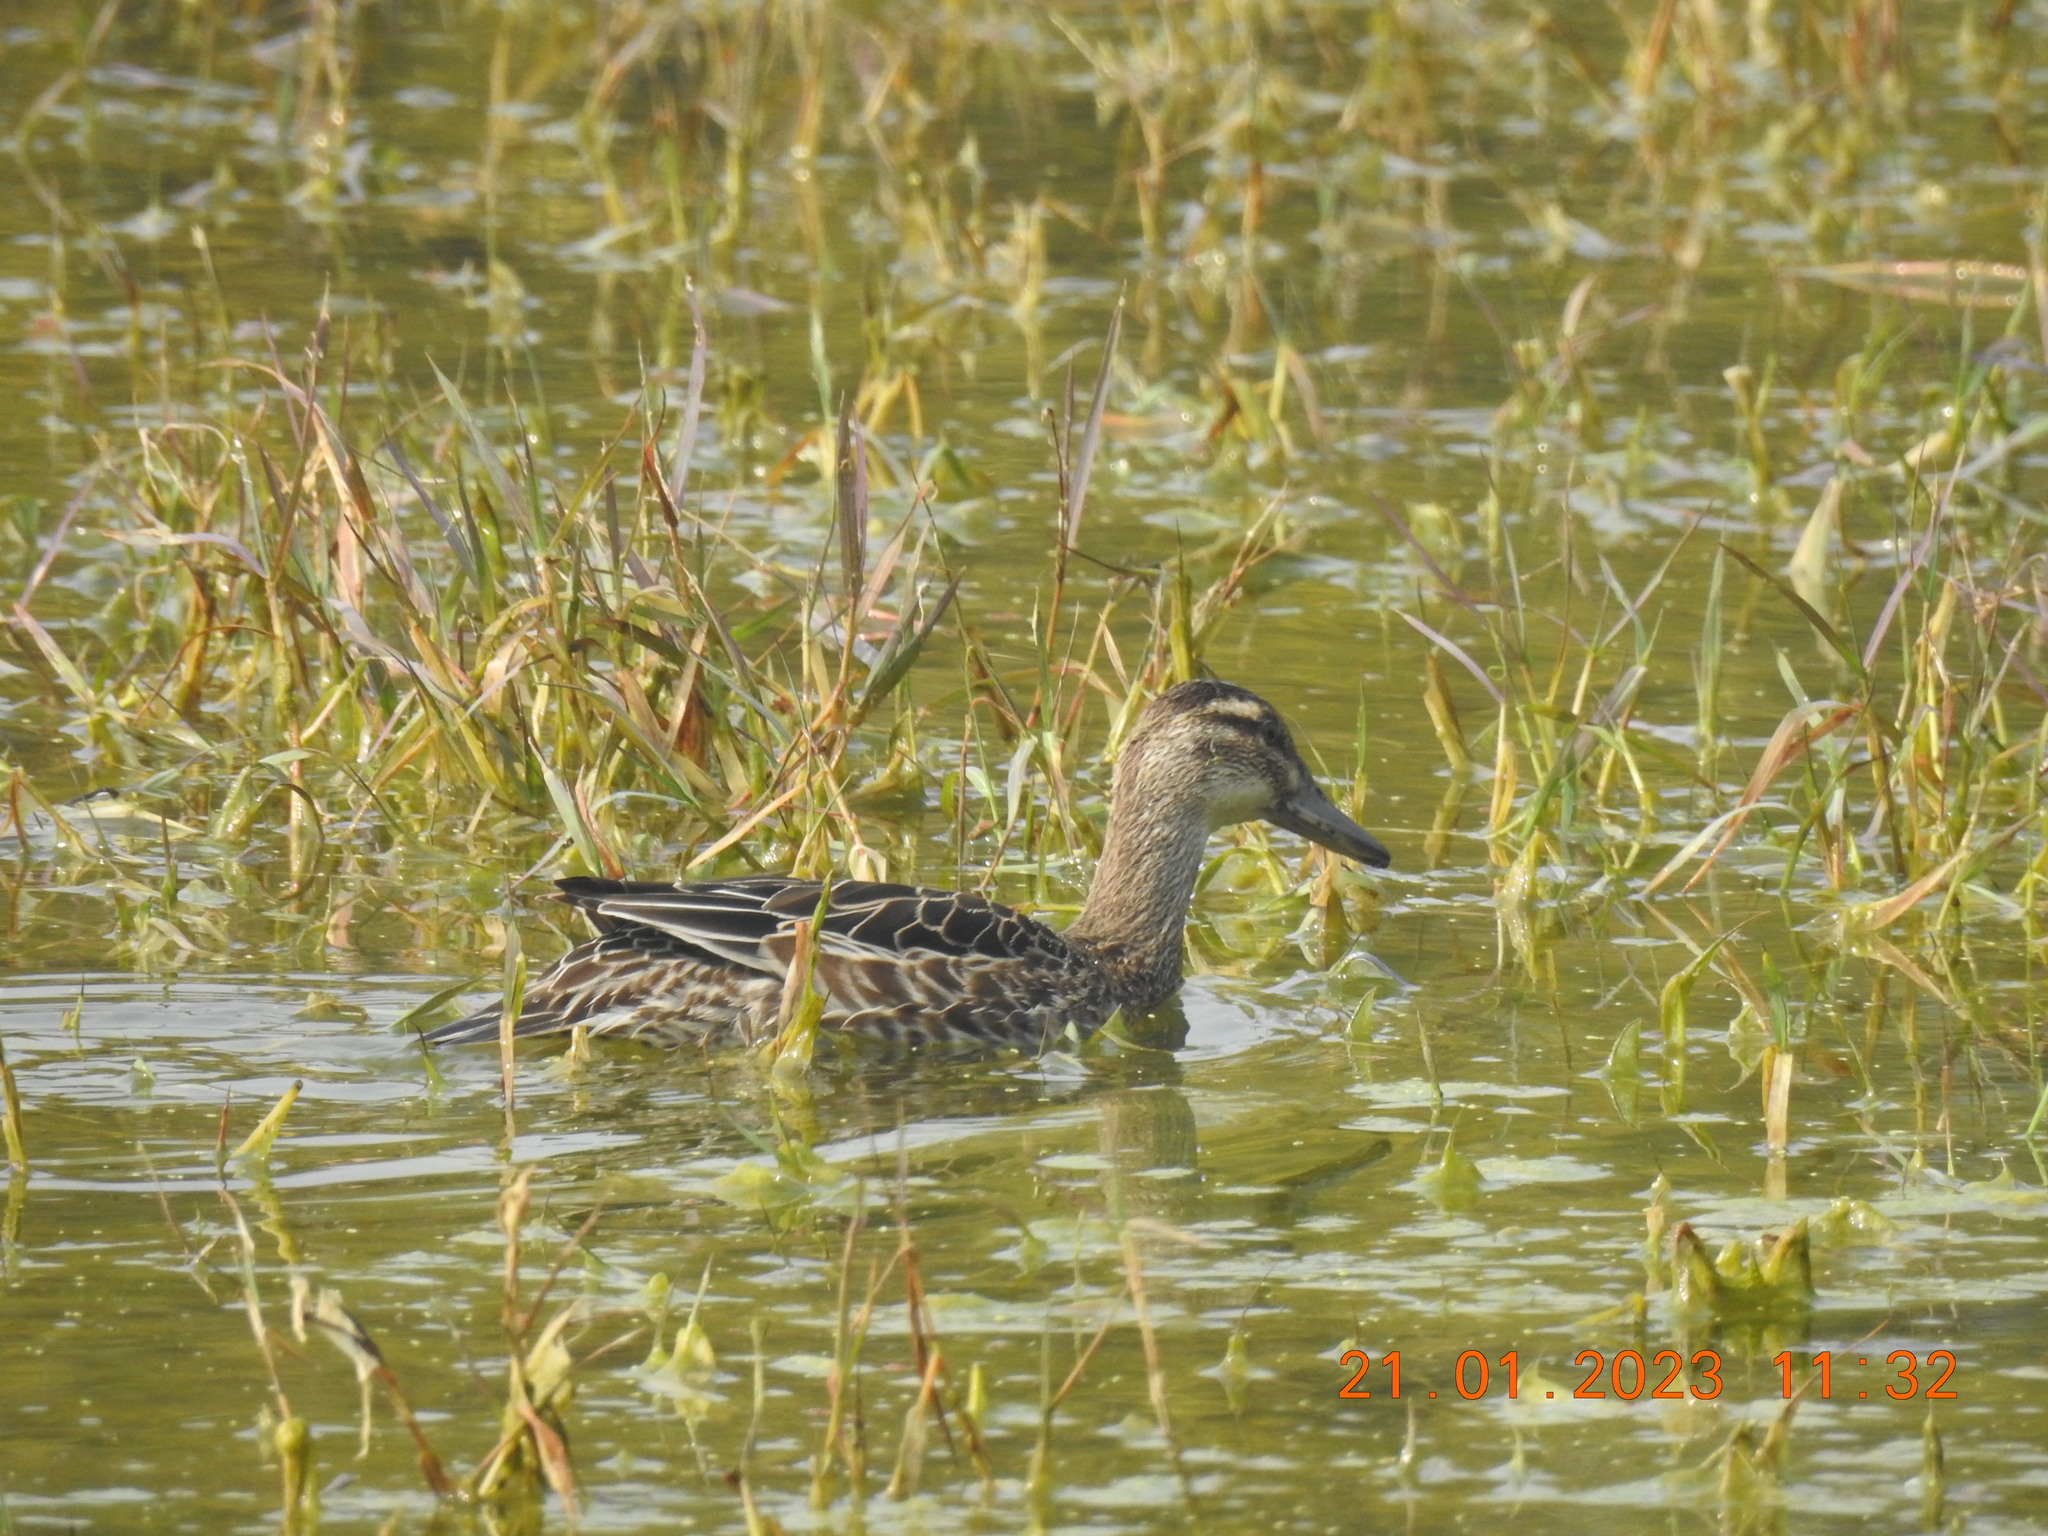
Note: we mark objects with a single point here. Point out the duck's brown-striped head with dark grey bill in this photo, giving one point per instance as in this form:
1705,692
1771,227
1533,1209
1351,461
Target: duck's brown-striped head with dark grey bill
1234,755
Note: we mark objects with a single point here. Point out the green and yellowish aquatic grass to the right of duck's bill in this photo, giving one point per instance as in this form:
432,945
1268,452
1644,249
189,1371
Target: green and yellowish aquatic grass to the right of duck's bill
1928,785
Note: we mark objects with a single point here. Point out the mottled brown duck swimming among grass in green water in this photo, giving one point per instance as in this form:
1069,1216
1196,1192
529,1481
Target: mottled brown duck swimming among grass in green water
708,964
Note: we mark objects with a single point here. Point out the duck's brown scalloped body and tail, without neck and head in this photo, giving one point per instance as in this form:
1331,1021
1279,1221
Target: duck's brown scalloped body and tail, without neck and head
708,964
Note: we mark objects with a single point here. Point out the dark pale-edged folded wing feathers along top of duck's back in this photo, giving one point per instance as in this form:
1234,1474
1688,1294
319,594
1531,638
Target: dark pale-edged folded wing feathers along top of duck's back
753,923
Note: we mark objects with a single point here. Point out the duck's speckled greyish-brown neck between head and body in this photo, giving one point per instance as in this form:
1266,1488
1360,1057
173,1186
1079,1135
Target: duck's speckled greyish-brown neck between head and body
1138,904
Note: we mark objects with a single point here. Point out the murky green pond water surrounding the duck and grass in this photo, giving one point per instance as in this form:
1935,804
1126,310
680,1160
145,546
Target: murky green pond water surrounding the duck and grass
1437,185
